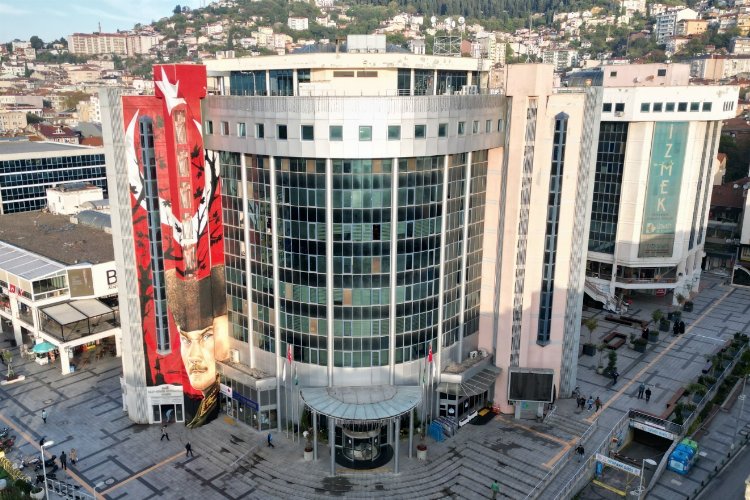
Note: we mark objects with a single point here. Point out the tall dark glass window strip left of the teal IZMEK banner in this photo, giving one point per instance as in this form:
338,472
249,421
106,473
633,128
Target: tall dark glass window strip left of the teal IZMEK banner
610,161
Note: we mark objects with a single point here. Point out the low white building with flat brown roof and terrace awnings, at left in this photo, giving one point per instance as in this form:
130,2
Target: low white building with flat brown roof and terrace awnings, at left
58,284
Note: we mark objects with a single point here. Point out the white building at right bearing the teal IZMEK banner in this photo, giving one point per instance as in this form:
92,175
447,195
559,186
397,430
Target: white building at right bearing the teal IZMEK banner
654,173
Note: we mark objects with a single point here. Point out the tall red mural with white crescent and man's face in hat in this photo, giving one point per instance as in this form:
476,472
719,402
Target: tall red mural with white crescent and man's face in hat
178,238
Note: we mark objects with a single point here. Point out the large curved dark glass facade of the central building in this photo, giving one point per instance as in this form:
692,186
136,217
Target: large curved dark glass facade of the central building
364,230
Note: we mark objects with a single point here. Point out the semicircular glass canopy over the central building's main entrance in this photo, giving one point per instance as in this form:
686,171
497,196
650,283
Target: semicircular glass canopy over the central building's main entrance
380,402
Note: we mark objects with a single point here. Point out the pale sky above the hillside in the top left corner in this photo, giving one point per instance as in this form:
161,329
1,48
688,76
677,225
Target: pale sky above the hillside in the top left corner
52,19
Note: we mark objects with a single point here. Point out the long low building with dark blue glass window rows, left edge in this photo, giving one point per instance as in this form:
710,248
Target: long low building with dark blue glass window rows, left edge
28,169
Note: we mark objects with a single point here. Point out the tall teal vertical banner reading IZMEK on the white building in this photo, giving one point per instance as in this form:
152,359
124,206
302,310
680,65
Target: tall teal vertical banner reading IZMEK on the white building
663,192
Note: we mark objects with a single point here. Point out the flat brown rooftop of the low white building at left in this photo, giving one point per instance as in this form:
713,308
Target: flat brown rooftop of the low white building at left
56,238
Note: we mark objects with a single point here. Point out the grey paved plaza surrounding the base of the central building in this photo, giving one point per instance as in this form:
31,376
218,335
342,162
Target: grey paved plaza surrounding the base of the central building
119,459
